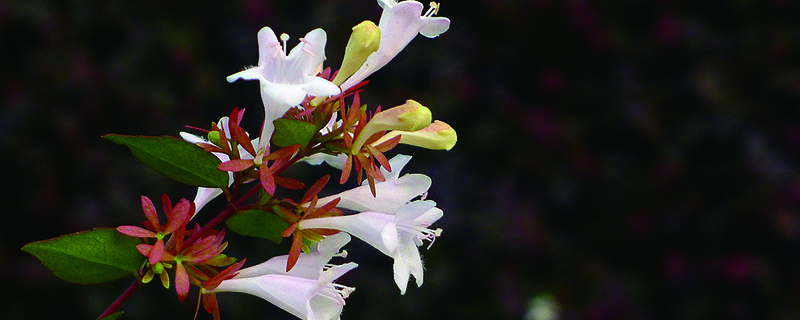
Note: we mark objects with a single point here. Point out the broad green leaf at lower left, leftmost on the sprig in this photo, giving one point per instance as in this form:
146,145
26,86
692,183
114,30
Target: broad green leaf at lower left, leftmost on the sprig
86,257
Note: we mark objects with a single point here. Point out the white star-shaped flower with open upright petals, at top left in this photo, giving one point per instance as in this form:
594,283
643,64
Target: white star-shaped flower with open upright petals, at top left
287,79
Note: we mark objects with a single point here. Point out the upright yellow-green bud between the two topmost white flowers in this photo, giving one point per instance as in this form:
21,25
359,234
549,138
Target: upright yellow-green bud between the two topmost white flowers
364,40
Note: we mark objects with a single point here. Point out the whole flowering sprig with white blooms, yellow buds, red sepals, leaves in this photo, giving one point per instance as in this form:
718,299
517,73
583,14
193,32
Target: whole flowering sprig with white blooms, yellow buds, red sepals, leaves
311,115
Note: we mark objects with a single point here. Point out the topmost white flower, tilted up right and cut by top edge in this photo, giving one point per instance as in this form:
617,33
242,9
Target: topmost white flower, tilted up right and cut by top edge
399,24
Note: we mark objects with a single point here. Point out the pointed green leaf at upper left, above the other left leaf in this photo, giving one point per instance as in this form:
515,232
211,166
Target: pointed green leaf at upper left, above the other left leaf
177,159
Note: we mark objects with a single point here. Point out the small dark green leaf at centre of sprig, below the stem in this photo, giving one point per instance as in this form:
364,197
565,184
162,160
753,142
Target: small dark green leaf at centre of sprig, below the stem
257,223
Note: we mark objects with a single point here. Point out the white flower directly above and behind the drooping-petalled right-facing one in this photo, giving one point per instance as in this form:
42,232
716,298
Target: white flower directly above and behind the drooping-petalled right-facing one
392,193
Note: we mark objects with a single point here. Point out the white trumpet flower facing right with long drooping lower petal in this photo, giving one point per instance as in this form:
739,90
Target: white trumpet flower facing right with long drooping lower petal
397,235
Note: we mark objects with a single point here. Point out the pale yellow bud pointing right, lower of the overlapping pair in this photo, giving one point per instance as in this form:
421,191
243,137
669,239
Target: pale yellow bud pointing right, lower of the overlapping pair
437,136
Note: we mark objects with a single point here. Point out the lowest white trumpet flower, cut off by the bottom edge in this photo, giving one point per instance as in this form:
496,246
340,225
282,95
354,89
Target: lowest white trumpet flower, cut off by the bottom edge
311,299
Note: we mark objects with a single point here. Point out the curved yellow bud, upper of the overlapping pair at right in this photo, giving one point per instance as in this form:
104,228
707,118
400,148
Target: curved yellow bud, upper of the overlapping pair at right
410,116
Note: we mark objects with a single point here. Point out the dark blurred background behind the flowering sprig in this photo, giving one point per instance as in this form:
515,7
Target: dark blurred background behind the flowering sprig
616,159
